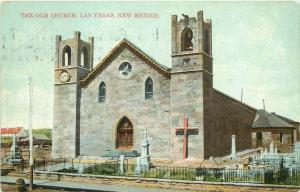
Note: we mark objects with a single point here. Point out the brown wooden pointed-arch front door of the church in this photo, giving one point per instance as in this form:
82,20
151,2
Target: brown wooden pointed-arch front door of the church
124,134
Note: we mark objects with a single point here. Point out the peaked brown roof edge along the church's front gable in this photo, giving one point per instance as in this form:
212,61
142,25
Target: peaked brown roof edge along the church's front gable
117,49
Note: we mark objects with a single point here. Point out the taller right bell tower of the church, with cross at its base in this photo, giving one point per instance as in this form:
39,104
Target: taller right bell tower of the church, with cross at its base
192,84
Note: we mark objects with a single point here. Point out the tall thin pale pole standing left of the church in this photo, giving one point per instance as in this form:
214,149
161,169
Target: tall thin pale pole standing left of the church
30,135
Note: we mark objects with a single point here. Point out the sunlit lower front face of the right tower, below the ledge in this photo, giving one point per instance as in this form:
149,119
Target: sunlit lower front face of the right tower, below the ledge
187,100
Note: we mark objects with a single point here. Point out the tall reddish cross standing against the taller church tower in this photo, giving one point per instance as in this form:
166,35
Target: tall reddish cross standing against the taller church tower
185,131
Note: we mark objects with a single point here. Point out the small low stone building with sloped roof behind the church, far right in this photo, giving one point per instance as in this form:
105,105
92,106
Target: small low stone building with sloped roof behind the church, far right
268,127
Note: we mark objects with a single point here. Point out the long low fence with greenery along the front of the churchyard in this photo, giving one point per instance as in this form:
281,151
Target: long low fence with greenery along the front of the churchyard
288,176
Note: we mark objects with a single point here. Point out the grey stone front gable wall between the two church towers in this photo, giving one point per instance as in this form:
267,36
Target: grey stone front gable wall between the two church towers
126,97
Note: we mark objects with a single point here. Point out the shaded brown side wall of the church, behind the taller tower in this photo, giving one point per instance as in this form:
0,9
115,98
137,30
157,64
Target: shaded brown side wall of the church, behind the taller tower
231,117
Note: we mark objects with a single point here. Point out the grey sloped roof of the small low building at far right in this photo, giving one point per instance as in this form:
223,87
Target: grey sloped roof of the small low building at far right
264,119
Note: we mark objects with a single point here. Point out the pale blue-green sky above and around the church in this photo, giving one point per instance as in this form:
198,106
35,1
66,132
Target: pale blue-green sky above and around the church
256,46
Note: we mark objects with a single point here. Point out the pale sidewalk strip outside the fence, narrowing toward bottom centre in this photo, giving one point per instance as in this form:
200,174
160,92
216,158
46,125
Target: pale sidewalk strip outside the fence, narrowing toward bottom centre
85,186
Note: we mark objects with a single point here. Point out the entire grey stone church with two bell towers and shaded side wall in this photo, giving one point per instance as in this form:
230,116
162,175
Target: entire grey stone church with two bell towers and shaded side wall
108,106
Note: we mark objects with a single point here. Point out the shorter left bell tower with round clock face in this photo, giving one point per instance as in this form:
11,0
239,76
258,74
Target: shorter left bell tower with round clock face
73,60
